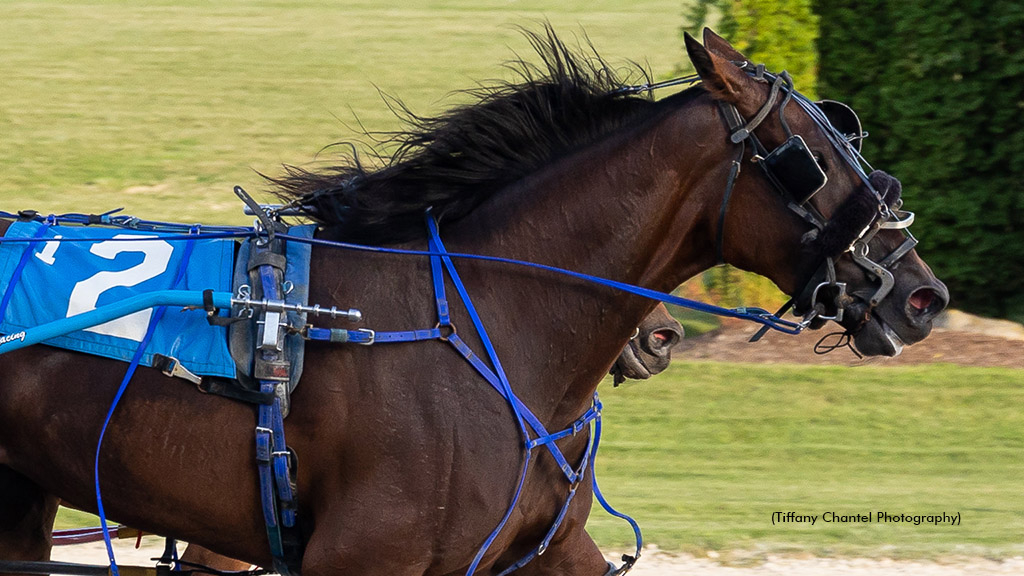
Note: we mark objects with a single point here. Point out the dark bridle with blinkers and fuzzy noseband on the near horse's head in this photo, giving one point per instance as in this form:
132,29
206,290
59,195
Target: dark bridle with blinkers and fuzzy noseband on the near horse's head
796,175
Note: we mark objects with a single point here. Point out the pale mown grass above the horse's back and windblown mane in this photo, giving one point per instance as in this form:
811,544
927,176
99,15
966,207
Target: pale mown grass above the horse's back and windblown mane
163,106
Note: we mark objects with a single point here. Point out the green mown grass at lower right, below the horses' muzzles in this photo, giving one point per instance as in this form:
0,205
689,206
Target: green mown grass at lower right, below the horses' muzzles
705,454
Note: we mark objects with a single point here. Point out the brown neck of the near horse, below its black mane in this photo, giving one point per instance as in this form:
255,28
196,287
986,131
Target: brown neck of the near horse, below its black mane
624,210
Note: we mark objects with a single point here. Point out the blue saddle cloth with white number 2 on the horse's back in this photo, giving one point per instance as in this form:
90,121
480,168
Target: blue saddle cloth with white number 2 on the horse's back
63,279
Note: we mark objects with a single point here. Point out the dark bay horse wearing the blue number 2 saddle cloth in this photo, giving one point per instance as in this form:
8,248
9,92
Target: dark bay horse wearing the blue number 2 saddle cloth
407,459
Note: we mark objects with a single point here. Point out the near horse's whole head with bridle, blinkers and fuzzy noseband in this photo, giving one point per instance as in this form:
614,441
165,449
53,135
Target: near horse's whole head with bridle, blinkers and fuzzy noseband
845,253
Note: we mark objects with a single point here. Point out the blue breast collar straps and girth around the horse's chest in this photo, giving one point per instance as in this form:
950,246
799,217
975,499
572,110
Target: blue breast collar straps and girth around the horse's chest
272,450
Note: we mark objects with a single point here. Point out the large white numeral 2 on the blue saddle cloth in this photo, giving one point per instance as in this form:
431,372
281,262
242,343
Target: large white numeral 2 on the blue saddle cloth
157,255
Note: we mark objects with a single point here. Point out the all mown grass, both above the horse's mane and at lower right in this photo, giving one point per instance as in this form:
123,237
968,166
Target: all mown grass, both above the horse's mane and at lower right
162,106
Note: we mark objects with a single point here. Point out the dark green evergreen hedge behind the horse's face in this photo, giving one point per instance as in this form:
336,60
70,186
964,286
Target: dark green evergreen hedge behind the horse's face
940,85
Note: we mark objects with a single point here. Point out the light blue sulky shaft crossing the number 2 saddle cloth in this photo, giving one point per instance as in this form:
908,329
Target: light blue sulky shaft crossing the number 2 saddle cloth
107,313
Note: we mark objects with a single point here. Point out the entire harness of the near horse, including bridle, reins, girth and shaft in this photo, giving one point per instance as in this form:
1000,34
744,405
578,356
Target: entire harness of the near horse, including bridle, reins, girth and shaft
791,169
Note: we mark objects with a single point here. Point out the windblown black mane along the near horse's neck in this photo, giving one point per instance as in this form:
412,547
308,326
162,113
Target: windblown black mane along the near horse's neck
455,161
